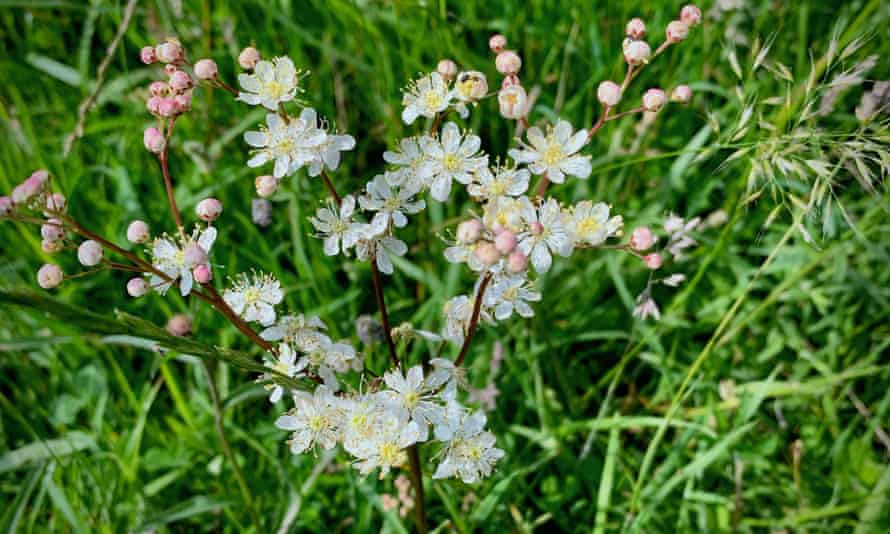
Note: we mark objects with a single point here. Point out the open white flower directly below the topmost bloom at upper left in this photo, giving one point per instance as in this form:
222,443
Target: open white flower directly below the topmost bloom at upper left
291,144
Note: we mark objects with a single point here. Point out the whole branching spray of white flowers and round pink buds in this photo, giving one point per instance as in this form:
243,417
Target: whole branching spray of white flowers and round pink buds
508,243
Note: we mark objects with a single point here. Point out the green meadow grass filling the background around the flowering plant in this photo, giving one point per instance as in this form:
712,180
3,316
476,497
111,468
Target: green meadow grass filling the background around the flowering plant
758,403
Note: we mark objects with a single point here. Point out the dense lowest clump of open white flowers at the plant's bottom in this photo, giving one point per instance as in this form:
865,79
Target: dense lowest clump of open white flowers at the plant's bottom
377,428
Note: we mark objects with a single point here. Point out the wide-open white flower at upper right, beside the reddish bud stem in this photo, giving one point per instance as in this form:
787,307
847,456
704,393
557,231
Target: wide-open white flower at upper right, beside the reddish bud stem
555,153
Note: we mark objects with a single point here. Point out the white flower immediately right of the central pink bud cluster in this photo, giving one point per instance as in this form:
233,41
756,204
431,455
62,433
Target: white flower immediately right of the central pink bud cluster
546,234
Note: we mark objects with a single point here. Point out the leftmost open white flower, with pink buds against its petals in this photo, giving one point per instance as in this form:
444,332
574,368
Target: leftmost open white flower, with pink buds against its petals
170,257
